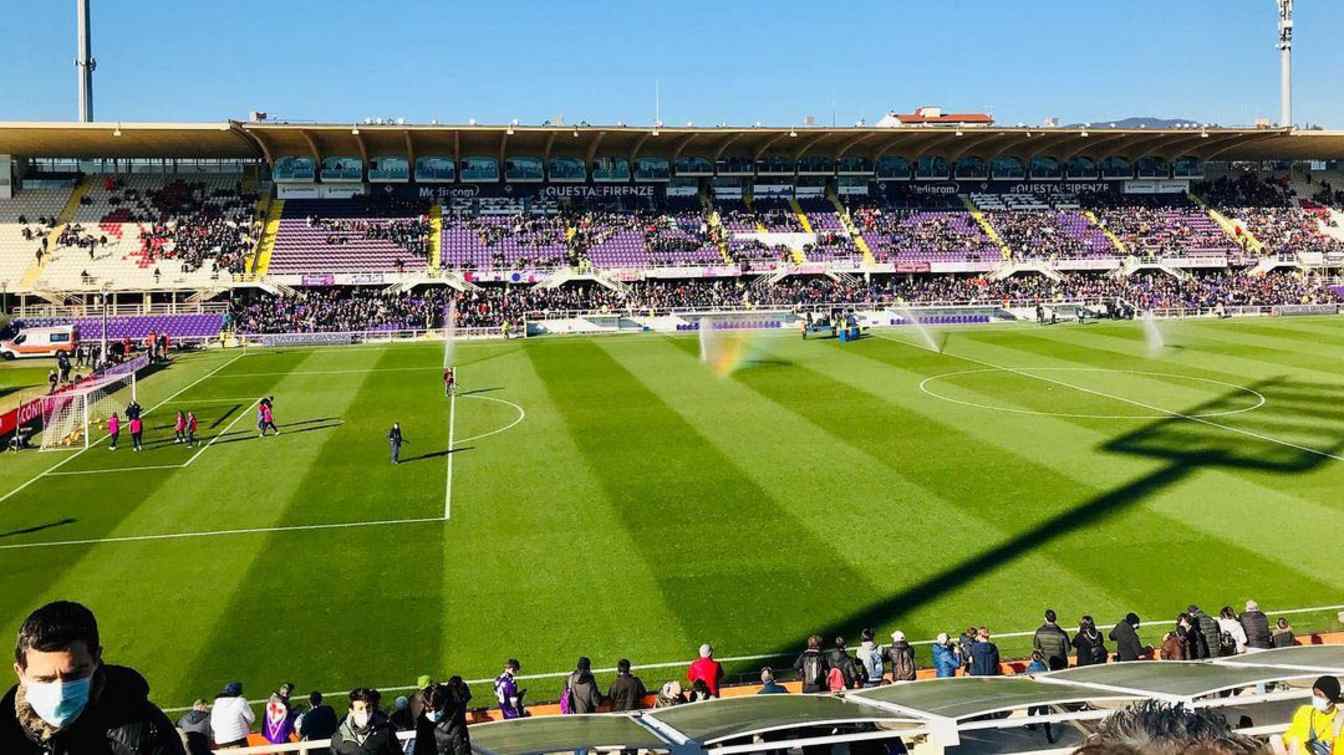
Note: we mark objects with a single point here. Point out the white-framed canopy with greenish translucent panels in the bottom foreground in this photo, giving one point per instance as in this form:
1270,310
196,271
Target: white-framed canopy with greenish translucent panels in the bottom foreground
939,711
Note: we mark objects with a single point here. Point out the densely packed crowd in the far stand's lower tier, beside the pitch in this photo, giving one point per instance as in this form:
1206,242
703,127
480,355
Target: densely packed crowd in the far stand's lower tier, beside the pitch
491,307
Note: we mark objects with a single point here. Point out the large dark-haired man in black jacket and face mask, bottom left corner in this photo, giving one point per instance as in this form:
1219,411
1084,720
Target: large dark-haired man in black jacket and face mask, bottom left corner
68,702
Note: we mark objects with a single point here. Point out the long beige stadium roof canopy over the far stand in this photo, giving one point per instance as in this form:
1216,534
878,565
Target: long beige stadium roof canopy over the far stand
269,140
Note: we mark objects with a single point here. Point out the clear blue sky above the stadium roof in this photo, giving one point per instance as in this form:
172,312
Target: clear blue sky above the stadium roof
718,61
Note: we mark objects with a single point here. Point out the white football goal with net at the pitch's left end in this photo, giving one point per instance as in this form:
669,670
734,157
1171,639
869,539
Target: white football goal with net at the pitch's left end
72,417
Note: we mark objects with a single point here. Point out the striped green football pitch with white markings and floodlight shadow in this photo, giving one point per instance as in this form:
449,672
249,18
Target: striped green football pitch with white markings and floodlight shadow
614,498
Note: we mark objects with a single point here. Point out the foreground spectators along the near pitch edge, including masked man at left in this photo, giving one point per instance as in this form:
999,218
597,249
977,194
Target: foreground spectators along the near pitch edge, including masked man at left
71,699
